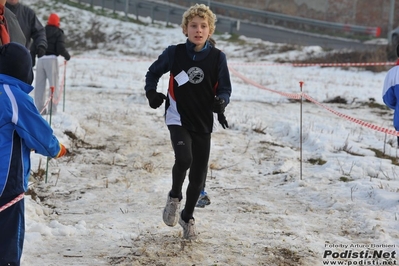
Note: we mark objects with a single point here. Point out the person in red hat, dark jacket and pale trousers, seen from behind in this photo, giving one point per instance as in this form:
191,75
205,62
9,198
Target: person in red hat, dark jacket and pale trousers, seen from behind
47,65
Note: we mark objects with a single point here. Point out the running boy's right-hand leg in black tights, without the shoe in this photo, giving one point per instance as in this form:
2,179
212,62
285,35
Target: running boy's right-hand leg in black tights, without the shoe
198,171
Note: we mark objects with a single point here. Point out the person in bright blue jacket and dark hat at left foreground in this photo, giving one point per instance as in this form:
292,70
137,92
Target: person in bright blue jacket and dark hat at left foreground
22,130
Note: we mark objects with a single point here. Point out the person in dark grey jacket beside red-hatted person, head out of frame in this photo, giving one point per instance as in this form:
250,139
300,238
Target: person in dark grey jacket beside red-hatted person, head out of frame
31,27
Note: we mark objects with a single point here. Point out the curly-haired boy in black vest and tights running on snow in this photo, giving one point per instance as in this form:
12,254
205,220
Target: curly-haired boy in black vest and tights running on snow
199,87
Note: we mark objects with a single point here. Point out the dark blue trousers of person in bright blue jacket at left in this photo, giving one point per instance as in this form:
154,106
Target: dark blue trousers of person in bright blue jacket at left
12,232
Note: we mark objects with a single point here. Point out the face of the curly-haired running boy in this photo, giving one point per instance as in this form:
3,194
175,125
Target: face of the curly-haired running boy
197,32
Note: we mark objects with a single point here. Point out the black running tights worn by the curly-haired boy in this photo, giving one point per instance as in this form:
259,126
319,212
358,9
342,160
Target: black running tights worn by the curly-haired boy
191,152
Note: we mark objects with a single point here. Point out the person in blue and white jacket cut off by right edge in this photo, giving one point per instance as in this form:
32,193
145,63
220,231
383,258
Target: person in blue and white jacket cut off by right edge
390,92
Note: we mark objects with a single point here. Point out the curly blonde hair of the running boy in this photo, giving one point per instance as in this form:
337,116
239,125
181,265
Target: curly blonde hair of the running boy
202,11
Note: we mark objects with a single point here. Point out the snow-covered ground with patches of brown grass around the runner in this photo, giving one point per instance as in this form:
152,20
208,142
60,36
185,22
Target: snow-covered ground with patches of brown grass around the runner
102,204
